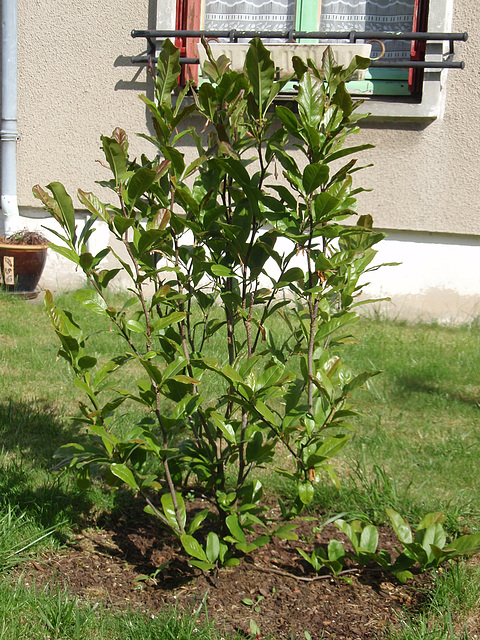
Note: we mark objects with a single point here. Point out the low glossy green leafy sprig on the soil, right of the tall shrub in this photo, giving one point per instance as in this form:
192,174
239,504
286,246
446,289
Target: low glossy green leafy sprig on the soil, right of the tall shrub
427,549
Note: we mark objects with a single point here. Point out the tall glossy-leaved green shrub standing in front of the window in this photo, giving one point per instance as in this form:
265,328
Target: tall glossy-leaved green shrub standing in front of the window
204,257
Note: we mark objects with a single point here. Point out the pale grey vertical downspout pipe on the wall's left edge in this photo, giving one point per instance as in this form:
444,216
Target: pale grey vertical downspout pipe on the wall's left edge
10,218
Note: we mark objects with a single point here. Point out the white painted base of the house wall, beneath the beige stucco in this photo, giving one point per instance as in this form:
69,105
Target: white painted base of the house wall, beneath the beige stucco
438,277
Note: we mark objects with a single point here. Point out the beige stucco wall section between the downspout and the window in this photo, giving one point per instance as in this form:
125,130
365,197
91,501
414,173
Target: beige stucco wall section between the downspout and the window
76,82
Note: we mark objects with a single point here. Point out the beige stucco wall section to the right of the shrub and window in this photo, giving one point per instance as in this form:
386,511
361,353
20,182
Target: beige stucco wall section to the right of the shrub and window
426,176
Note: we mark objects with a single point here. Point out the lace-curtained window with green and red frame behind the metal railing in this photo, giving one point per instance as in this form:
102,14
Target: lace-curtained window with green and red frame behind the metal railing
325,16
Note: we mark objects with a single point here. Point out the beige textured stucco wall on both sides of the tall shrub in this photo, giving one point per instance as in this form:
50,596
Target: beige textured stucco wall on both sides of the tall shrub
76,82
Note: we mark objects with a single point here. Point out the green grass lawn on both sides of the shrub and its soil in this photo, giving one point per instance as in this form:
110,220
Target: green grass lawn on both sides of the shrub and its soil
416,449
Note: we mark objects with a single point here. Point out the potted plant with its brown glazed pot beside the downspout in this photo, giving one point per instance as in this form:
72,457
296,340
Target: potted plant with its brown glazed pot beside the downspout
22,259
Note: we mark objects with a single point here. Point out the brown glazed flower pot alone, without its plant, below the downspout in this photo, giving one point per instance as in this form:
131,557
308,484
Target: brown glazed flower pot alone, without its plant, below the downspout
21,266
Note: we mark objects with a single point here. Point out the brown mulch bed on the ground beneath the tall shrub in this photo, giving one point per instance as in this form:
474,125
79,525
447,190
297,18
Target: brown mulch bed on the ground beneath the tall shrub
105,564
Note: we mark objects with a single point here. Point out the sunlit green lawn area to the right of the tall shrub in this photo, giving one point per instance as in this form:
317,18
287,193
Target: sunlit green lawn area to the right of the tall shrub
419,431
